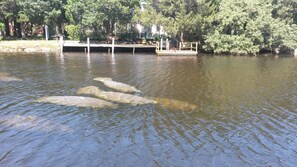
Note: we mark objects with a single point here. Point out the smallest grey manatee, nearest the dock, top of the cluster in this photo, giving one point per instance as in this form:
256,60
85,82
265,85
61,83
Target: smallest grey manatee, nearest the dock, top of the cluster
122,87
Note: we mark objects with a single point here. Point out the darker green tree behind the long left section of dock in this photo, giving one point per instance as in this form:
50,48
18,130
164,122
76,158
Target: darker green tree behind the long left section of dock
99,16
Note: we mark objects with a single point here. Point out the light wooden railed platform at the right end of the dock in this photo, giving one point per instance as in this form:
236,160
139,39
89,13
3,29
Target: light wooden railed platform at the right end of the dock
185,49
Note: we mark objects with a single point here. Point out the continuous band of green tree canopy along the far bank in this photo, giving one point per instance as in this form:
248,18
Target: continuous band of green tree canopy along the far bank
221,26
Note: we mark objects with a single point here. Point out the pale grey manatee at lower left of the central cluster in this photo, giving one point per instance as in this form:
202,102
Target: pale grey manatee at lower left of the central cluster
77,101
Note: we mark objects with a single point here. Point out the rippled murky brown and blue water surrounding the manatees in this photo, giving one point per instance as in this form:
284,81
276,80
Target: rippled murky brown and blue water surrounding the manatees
247,112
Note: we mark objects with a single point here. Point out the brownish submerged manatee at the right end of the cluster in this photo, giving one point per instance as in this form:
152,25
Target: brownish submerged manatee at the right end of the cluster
173,104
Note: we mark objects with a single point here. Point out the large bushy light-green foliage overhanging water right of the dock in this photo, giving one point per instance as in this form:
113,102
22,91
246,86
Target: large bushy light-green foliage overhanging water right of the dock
248,27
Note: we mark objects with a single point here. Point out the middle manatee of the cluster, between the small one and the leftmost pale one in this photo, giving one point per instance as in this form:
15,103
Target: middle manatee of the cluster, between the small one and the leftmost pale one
114,96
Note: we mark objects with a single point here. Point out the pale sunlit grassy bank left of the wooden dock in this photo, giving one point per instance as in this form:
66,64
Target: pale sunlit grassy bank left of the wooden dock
29,46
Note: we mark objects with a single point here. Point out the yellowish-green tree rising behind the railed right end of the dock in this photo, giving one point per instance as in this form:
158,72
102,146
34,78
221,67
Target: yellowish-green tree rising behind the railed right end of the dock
184,19
